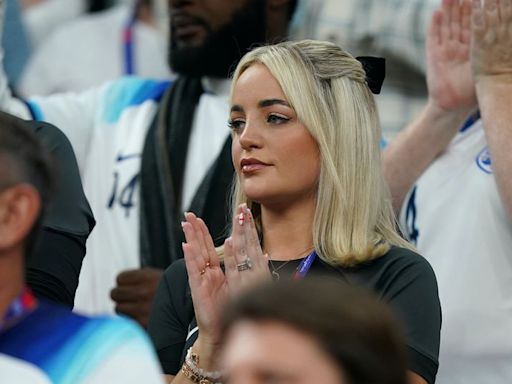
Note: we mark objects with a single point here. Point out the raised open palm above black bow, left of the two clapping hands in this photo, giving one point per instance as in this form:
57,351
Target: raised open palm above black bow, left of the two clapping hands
449,76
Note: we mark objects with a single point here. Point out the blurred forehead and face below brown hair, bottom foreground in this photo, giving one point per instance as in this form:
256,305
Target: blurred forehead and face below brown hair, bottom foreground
273,353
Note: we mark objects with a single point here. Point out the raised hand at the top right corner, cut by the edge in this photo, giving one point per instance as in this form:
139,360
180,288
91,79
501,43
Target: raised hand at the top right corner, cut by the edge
491,48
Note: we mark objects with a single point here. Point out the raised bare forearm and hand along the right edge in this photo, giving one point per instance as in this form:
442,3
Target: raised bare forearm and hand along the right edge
491,59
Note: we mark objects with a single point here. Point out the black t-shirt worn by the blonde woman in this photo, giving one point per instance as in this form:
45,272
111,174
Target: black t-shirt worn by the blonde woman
401,277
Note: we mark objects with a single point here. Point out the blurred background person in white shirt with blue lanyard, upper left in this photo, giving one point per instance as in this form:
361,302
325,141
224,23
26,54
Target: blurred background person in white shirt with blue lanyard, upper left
95,48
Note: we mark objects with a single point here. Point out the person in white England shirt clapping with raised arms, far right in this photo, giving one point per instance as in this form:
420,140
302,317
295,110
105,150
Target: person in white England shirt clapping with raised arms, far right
449,172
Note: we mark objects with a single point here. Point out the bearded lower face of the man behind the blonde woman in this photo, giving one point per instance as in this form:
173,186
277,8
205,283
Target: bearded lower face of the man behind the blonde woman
208,37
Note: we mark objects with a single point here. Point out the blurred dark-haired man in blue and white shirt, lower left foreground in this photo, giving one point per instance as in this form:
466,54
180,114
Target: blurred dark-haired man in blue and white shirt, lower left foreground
44,340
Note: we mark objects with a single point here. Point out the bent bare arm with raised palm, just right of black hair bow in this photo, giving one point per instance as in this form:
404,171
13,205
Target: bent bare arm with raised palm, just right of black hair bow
451,100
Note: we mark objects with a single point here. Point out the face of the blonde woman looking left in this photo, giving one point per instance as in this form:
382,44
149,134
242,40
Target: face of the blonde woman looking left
276,158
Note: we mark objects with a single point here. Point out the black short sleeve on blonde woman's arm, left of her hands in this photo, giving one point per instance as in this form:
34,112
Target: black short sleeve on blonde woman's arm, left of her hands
171,315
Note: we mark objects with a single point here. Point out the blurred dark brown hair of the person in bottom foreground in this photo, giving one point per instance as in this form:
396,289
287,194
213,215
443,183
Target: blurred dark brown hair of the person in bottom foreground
356,330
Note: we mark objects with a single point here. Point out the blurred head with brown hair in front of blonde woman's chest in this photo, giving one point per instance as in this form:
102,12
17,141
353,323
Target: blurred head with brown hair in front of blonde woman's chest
311,331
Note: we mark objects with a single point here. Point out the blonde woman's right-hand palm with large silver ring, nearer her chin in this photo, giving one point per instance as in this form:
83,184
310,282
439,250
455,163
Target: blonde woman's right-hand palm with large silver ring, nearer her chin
246,265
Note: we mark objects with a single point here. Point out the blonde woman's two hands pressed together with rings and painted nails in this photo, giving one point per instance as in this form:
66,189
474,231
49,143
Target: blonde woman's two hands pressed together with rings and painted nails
212,285
